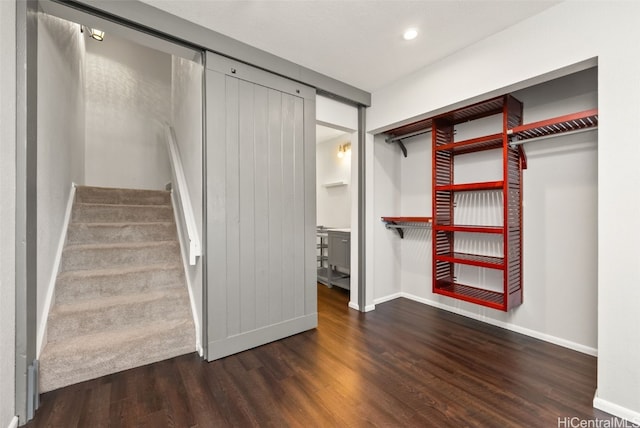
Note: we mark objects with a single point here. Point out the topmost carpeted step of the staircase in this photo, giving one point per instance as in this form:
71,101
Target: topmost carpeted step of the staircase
106,195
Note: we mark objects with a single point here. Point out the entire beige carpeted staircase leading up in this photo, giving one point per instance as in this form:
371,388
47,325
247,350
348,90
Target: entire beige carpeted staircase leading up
121,299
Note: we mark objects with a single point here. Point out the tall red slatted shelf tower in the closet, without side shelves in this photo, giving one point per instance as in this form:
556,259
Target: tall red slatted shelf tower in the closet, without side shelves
445,149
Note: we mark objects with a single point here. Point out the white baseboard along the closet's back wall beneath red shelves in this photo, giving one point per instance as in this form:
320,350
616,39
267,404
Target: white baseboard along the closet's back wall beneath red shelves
508,326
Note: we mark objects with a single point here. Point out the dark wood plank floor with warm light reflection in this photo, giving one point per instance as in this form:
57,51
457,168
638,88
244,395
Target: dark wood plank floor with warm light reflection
404,364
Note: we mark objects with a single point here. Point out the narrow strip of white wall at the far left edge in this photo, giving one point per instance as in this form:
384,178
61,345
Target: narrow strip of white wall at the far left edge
7,209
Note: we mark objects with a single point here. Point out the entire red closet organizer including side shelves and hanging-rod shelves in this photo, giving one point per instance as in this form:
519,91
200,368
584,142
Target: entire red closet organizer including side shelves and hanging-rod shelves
506,144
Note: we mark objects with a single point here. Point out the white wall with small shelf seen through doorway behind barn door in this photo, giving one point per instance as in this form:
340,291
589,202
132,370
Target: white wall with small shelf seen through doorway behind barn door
333,204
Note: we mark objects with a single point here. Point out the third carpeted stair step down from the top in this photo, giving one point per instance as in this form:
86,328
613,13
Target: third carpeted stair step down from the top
93,233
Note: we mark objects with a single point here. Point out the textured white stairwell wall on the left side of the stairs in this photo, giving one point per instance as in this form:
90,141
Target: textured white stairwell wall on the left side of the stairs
60,137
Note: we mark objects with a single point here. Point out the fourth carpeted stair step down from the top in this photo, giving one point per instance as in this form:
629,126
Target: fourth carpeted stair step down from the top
102,256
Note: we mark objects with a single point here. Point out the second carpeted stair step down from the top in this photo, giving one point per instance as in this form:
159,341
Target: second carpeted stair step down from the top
108,213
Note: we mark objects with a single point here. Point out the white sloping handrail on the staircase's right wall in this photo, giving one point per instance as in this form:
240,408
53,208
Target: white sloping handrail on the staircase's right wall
183,199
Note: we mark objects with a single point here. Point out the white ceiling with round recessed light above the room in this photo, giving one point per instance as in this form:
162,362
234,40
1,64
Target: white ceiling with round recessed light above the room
358,42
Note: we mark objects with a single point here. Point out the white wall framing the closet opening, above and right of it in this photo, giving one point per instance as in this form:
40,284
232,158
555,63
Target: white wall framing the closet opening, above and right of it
512,58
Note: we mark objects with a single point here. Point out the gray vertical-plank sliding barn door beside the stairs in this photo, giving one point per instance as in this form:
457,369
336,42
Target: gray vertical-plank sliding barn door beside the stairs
260,166
